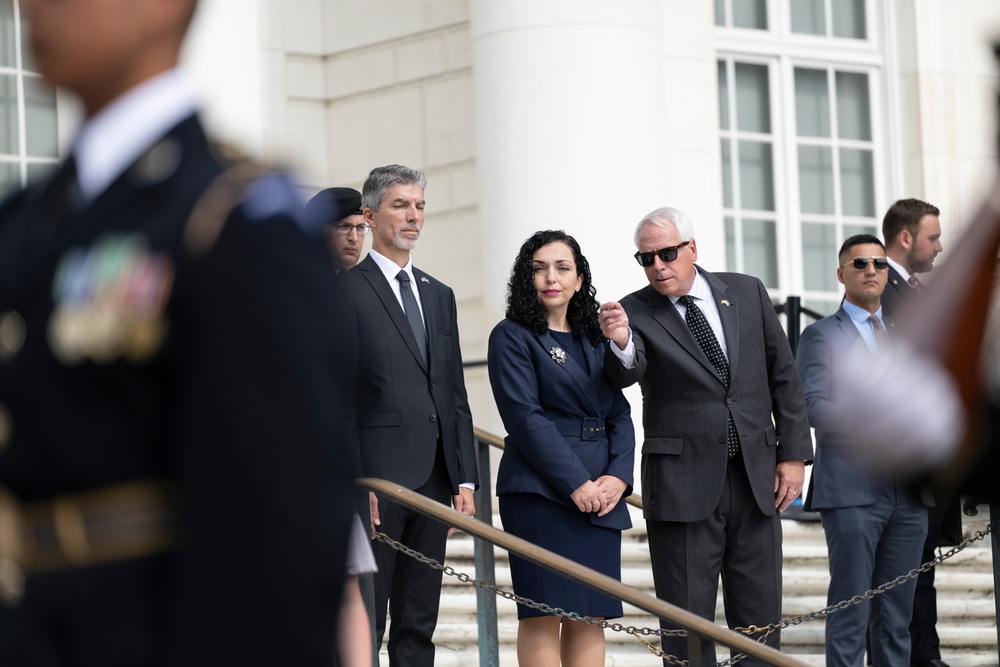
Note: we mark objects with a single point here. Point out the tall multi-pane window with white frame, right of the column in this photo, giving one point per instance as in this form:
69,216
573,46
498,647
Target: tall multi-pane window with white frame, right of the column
801,144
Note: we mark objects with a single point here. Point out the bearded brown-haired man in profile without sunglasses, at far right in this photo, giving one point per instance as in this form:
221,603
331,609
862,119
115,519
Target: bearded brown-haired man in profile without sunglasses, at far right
912,232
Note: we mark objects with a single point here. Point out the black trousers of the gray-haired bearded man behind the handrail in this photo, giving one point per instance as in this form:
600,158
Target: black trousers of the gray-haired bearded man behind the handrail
410,589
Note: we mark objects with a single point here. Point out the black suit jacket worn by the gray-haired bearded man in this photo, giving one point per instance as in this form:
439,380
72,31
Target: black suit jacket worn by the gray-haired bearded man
404,406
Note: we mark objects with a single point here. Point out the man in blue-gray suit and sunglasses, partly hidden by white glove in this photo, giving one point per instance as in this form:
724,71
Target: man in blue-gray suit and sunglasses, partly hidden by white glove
875,525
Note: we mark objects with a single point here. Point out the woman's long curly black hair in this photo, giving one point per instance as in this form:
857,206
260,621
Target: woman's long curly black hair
522,297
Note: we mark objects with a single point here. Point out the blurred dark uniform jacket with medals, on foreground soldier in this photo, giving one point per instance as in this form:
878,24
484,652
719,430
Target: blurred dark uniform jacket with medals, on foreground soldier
144,341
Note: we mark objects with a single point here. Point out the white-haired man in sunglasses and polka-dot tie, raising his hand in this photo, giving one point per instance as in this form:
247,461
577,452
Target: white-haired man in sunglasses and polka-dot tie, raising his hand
726,433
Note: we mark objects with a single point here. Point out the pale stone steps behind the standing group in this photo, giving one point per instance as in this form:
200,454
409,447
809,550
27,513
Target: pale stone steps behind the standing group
967,617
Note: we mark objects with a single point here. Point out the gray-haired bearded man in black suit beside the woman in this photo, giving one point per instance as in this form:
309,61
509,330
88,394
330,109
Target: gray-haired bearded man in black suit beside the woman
414,422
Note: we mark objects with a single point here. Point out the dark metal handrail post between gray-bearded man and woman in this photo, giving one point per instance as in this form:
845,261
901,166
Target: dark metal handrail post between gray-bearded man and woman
486,602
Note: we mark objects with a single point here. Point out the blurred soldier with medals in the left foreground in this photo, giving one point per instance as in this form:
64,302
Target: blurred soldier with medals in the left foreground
168,394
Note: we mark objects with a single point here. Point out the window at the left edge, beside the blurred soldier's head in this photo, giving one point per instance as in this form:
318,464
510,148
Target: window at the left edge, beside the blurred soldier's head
28,137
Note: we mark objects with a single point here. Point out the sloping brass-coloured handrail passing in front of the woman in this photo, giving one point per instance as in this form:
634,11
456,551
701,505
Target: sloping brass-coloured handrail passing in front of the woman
699,629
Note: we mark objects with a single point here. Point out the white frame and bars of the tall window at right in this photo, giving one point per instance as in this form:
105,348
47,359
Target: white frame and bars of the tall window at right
783,51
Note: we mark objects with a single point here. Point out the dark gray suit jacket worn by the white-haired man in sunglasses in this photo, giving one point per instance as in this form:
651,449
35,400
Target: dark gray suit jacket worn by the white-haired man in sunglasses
686,406
